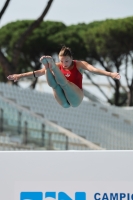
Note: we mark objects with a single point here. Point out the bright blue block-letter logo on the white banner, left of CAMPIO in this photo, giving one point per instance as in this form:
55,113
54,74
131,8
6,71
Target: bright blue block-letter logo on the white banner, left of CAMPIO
54,195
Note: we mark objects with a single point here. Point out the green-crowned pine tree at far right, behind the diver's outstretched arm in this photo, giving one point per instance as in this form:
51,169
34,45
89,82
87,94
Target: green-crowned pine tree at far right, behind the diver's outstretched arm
111,45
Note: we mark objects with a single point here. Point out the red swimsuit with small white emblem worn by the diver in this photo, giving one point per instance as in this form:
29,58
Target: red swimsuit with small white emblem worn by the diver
73,75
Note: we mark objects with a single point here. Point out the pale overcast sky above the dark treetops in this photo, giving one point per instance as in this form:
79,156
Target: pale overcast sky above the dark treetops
68,11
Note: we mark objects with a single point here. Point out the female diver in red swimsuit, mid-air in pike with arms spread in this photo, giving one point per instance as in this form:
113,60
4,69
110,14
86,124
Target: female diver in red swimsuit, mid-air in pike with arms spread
65,77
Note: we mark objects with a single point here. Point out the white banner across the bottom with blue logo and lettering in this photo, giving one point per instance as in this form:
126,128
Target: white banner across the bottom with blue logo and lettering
84,175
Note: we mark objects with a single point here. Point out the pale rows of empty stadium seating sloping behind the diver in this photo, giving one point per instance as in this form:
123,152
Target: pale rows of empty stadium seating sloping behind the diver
109,127
